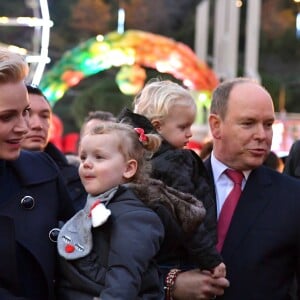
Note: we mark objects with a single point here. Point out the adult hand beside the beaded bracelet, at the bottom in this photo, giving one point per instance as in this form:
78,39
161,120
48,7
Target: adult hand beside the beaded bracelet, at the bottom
198,285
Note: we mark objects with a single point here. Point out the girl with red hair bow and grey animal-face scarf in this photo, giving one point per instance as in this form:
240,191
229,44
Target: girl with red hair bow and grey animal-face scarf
108,249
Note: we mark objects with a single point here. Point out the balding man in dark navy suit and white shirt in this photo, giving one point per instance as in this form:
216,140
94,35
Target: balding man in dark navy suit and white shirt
262,245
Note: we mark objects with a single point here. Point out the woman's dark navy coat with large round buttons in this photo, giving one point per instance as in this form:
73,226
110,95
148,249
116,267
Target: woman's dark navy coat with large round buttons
33,199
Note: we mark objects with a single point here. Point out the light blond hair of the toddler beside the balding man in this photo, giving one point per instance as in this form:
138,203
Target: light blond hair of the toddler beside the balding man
157,97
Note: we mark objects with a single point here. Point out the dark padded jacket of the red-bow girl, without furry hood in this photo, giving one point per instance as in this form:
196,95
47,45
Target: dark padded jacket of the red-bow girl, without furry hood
121,264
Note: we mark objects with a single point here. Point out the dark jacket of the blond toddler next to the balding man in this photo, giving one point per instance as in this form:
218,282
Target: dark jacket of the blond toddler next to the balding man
183,170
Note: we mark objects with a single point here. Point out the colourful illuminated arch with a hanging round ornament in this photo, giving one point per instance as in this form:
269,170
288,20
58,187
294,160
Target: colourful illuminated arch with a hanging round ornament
130,51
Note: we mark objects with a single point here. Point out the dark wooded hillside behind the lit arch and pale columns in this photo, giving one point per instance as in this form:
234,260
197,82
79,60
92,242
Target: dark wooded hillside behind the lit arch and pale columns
75,21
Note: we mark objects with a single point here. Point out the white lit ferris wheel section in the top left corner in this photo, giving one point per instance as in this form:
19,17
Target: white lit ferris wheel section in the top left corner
37,56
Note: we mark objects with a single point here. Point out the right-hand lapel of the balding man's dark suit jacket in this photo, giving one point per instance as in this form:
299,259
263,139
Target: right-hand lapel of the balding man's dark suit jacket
254,199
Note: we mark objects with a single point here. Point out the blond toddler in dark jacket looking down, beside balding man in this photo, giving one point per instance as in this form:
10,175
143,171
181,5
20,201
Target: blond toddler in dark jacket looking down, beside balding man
166,108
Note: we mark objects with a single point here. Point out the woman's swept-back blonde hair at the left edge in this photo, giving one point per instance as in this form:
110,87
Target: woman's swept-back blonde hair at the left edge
13,67
